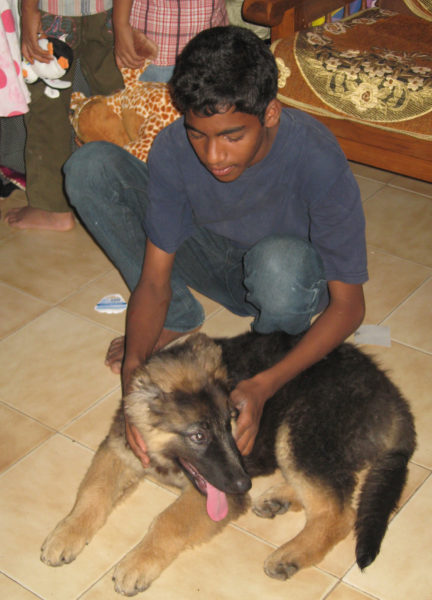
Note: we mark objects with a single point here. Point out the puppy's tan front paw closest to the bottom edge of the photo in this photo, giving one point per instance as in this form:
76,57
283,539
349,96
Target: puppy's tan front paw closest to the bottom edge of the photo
135,573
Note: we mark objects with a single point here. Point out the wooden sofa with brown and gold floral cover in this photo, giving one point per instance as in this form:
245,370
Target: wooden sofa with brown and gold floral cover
367,76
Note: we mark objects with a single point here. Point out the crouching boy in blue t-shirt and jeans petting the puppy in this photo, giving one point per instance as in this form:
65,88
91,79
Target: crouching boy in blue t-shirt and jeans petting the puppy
249,204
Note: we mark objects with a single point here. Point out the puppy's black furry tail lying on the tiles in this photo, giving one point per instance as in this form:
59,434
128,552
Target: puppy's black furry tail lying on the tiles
379,497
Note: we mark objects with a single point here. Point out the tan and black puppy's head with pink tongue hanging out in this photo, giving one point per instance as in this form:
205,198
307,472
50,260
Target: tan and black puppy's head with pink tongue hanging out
180,403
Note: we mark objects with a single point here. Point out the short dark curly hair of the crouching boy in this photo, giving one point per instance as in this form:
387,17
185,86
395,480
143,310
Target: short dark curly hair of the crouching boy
224,67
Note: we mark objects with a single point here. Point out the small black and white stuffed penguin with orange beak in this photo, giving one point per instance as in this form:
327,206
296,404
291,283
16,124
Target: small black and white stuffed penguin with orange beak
51,72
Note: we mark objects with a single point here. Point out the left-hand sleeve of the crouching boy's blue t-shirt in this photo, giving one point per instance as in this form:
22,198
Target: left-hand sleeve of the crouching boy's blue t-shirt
169,220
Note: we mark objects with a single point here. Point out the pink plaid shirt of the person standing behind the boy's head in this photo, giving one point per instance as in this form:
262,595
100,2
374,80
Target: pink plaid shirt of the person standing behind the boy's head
172,23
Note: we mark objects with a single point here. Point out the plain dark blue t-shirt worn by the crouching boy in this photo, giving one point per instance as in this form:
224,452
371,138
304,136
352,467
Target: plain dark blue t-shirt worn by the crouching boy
302,187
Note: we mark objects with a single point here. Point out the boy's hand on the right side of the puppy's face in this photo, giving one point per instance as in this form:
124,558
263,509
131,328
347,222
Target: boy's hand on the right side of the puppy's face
249,399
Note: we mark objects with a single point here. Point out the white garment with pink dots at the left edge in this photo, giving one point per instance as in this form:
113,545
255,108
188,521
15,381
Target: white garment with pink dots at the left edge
14,96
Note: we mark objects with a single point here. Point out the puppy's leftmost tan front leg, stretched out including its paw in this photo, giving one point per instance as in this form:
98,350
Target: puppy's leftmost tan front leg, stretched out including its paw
108,479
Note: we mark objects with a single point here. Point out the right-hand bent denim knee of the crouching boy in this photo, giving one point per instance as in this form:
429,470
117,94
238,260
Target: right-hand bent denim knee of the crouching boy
285,280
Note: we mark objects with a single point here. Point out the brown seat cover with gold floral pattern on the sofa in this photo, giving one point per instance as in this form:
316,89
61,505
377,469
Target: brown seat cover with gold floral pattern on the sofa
361,69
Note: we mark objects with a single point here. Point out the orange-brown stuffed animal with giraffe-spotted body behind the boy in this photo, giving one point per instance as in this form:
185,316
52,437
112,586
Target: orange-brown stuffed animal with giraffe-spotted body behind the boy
130,118
